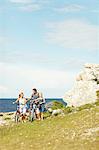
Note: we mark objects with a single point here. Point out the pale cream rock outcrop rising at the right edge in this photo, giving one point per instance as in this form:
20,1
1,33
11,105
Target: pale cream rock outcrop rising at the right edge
85,88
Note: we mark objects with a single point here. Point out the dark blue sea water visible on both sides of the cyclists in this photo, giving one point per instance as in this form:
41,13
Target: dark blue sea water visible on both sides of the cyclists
6,105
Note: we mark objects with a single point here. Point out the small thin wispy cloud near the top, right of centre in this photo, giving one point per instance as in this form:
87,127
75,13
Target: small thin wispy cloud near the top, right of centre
69,8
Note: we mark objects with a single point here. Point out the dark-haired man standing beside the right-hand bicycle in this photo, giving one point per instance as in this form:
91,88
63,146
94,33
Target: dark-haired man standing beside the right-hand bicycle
37,101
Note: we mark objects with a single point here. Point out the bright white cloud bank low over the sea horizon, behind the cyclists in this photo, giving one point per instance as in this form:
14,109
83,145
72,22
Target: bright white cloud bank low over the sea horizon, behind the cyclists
17,77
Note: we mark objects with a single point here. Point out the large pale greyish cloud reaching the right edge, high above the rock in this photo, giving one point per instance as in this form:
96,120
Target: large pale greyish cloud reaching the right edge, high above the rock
73,34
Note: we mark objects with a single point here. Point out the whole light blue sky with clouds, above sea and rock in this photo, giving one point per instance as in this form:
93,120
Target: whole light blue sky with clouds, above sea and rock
44,44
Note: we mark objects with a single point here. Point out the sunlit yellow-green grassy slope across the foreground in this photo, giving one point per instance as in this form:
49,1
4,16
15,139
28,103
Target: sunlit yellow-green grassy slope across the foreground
74,131
